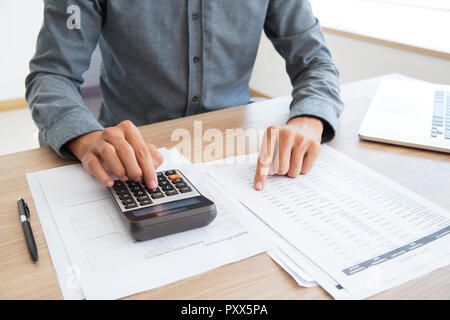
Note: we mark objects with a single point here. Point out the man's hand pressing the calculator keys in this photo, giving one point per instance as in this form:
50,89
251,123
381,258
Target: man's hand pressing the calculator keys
120,150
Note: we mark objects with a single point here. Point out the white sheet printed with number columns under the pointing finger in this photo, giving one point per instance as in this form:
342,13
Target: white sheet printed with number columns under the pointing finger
362,230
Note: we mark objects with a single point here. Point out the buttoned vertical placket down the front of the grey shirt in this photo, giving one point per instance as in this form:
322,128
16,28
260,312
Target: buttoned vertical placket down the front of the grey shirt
195,56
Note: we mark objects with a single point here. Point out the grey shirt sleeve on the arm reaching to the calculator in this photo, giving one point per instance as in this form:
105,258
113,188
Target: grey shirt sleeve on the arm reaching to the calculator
62,55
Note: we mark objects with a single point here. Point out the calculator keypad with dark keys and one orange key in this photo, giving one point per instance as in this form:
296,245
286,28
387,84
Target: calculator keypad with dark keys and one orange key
172,186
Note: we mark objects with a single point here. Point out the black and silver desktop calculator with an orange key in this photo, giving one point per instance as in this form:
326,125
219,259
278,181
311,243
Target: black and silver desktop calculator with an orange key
175,206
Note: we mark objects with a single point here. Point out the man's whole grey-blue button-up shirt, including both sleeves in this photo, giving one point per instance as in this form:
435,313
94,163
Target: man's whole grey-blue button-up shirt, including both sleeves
165,59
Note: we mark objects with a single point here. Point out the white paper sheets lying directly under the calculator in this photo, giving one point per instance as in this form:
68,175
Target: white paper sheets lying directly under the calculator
106,262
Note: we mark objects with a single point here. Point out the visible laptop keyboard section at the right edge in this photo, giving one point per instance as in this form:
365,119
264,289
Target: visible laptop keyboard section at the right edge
440,125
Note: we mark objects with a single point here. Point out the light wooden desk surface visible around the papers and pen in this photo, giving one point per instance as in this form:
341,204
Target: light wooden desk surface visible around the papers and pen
425,172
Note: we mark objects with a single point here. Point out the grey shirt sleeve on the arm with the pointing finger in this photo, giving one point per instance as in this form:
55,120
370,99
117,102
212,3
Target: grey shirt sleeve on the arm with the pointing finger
296,35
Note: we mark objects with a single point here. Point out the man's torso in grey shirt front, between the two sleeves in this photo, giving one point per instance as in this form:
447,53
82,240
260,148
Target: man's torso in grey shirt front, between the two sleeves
167,59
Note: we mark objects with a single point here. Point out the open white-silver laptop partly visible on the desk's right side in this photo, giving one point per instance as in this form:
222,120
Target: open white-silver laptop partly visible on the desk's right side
409,113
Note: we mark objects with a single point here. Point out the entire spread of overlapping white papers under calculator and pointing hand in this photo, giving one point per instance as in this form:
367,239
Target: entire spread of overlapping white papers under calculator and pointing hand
342,226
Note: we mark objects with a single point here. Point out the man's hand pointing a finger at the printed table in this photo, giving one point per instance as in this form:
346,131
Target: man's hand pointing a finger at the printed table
291,149
